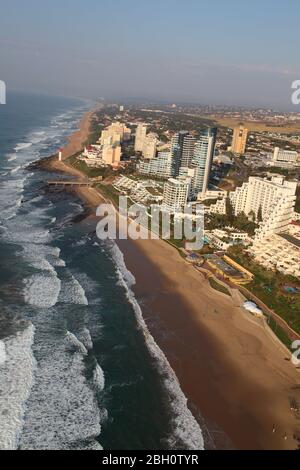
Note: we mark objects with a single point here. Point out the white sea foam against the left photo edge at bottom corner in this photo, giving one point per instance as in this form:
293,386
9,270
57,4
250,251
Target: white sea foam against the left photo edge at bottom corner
16,379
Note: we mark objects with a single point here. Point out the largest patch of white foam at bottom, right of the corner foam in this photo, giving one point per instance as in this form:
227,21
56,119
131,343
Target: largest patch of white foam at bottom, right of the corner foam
62,411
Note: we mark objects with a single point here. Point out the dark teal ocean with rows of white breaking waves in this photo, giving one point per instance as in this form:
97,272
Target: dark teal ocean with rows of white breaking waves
78,367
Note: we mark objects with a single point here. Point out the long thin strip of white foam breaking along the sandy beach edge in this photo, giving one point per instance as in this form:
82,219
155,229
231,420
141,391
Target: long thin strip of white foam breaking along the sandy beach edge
185,429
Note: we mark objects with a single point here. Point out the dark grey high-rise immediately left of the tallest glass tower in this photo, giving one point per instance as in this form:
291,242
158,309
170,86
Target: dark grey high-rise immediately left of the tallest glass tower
182,150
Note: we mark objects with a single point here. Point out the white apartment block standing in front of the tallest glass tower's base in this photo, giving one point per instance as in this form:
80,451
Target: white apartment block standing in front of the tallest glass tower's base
175,196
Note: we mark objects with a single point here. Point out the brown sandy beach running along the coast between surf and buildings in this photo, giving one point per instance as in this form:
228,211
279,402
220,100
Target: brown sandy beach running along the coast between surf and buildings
228,367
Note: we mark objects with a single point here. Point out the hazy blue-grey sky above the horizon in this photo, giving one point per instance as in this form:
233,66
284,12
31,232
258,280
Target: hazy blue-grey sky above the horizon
218,51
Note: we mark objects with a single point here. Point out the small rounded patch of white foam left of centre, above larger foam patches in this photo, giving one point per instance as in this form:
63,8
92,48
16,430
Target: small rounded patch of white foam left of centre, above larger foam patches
42,290
